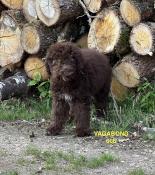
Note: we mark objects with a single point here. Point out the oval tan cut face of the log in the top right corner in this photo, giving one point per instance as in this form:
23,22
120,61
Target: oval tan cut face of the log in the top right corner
130,13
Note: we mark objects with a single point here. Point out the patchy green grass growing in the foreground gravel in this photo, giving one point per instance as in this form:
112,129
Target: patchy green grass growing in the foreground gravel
61,161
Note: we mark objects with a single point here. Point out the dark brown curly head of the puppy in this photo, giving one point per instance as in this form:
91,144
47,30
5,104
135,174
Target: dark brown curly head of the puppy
62,61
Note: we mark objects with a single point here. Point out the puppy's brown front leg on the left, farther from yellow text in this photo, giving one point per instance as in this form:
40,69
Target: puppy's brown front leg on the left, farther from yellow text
60,111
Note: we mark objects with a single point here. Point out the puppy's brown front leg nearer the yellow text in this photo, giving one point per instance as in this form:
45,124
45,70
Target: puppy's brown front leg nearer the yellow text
81,112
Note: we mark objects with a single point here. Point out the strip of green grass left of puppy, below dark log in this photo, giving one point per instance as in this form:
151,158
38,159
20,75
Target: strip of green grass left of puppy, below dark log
27,109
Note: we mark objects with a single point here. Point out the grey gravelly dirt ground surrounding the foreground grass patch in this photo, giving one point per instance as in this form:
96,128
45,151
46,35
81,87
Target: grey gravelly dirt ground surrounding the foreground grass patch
15,138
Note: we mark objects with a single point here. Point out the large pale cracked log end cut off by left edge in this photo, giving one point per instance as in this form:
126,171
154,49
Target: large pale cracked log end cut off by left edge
11,50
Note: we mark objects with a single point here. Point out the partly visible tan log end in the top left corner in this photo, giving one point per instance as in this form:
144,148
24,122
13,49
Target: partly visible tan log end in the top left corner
13,4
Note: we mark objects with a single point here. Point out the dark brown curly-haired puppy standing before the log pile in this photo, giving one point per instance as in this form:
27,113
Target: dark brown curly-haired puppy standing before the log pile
78,76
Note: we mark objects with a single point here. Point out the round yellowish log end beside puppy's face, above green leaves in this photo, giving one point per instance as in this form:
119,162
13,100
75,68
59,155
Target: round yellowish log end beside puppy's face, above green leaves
34,65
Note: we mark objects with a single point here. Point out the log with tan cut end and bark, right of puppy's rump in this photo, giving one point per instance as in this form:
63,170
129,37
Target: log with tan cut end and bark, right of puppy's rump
133,69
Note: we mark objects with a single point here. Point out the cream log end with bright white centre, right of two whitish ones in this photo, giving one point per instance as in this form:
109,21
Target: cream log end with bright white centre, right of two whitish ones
48,11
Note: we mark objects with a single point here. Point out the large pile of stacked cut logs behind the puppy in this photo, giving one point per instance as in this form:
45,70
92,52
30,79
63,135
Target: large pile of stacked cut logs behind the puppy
123,29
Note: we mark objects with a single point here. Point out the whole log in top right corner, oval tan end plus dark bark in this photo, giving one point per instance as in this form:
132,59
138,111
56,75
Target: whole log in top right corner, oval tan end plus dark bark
135,11
